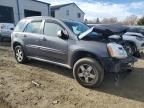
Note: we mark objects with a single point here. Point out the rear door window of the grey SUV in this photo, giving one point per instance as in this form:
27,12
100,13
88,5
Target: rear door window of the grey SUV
33,27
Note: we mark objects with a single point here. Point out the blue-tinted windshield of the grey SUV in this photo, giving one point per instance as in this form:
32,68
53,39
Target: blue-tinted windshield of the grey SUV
77,27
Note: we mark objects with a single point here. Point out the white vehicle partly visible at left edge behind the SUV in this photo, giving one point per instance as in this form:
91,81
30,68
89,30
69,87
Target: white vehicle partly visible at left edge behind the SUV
5,30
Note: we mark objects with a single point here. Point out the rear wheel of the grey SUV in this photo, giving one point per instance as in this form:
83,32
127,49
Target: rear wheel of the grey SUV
20,55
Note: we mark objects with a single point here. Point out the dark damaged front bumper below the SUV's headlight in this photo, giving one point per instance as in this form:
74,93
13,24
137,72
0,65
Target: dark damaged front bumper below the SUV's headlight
116,65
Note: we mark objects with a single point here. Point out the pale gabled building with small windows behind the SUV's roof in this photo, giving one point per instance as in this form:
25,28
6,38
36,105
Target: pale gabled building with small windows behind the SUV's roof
67,11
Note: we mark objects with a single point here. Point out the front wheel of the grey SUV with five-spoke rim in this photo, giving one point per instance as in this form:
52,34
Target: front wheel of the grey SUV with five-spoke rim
88,72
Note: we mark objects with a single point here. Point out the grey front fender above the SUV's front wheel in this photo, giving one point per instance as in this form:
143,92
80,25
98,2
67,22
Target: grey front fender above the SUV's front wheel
94,49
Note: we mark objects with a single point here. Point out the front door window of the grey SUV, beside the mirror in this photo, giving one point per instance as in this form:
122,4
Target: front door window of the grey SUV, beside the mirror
51,29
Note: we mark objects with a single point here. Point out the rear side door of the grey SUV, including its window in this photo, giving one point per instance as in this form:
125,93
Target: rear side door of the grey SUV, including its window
31,37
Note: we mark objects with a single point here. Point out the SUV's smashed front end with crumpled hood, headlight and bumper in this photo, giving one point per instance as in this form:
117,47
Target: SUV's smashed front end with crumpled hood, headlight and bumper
119,60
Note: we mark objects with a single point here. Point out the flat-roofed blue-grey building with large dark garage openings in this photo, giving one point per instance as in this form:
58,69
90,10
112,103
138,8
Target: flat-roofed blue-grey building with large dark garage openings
11,11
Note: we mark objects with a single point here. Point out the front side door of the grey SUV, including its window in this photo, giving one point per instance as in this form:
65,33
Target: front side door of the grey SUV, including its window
53,48
